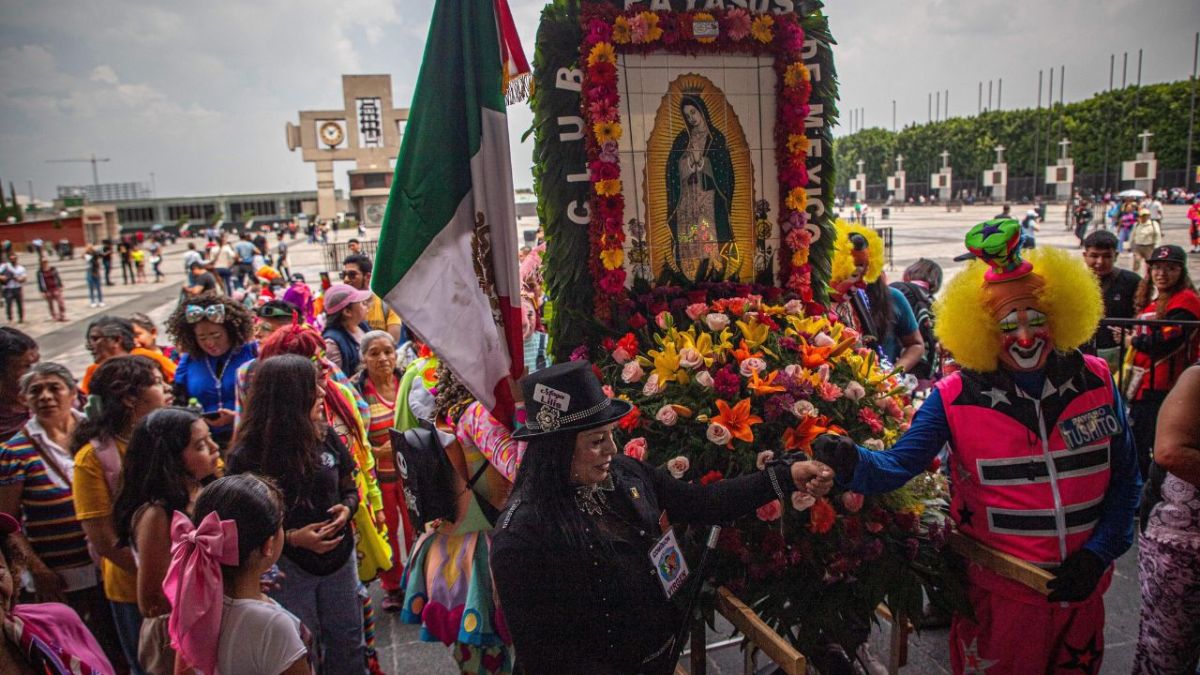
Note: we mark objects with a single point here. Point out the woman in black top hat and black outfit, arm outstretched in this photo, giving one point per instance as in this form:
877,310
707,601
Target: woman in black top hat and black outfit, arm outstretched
572,555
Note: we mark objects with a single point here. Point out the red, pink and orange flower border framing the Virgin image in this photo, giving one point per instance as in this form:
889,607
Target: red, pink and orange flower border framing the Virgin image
608,32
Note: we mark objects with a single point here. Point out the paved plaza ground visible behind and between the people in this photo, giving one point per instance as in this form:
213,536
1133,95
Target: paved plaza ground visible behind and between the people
929,232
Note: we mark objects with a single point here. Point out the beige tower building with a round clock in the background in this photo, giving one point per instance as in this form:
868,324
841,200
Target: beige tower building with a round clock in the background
368,132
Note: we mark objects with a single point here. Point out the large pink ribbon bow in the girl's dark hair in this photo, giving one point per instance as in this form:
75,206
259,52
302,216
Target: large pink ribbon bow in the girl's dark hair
194,586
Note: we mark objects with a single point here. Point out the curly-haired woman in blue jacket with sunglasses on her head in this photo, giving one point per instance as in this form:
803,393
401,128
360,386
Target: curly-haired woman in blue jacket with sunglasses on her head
214,334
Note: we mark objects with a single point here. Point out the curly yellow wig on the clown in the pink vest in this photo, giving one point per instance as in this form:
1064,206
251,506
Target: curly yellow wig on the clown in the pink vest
1070,297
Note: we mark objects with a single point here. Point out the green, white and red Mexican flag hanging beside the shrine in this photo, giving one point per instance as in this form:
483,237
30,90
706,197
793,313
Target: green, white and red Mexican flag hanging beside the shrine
447,259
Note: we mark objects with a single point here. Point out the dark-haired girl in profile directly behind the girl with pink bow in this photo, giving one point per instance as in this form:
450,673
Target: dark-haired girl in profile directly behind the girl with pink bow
171,453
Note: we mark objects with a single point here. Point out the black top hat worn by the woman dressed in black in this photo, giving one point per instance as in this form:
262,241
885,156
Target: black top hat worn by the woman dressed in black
567,398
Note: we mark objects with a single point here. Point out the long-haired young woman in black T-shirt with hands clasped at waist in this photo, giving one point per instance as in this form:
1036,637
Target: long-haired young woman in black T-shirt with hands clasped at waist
284,435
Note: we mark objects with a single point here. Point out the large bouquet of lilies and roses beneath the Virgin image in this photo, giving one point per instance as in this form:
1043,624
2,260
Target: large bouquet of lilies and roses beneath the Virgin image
723,387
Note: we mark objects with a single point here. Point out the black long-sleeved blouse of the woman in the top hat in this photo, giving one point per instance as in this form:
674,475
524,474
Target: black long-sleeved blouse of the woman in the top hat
601,610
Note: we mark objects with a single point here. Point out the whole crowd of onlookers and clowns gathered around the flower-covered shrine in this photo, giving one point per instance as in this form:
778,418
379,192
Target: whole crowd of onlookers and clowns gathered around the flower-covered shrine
221,500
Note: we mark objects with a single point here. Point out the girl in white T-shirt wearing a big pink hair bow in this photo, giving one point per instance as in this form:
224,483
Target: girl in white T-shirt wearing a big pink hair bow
220,620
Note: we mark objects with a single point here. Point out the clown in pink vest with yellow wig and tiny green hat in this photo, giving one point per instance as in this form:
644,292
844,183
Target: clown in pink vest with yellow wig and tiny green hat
1042,458
